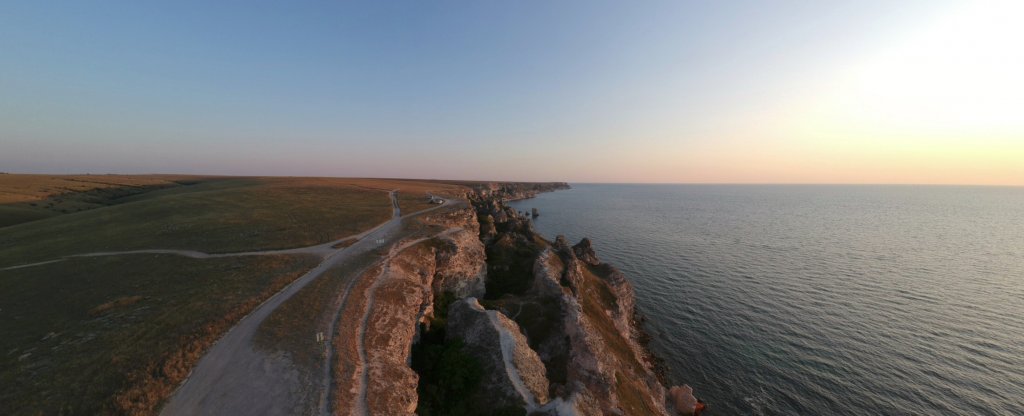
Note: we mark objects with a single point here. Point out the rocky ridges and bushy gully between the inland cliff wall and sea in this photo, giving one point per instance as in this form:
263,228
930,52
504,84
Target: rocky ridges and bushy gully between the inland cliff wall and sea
554,330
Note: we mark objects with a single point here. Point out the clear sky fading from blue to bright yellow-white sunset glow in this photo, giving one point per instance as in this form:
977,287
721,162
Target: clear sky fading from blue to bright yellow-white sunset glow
586,92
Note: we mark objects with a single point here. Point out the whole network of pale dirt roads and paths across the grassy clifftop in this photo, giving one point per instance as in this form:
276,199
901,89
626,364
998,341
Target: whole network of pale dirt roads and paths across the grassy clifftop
235,379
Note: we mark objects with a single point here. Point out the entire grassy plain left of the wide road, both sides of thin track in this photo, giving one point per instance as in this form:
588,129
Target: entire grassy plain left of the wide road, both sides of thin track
116,335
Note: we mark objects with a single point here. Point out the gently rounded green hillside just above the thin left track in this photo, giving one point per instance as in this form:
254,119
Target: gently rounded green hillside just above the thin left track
229,216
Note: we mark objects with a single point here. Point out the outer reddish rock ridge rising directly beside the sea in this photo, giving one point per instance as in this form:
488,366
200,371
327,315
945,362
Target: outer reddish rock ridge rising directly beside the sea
577,315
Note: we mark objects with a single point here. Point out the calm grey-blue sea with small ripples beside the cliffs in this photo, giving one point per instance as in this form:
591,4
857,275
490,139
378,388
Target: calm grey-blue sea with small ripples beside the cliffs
821,301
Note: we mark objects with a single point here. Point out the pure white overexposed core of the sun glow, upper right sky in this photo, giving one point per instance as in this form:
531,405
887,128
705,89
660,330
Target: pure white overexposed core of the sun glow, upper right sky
960,75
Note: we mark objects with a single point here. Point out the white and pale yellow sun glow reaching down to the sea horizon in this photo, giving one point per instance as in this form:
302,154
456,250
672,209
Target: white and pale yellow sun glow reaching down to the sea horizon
945,102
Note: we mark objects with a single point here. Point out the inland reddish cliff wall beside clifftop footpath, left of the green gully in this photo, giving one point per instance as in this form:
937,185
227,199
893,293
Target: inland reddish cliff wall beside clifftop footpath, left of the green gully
400,303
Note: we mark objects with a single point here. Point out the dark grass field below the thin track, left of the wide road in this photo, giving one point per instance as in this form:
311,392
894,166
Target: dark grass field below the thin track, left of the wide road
116,336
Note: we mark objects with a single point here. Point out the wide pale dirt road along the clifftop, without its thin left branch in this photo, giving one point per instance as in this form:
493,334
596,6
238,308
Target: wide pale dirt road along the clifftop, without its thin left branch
235,379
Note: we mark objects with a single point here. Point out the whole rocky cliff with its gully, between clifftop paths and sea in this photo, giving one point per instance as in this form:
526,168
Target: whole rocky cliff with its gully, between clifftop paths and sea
486,317
